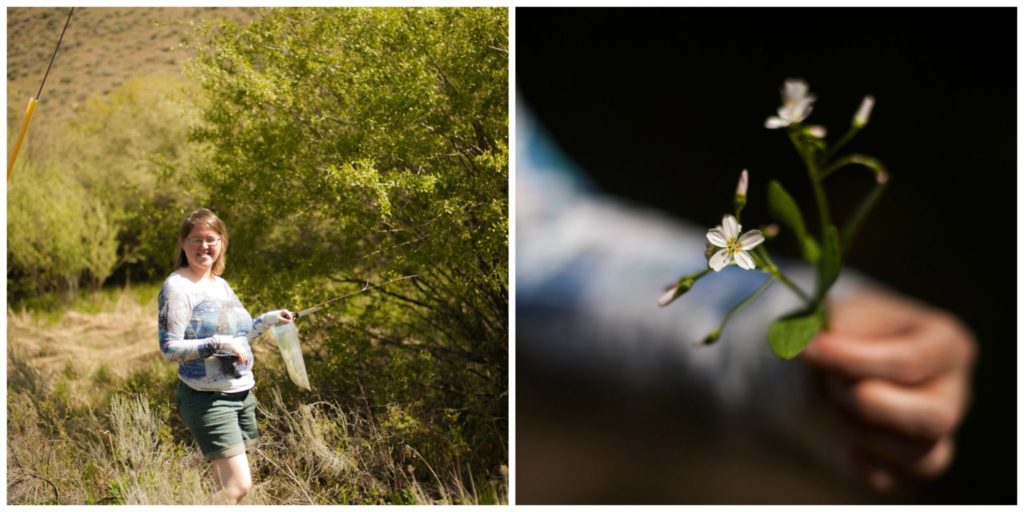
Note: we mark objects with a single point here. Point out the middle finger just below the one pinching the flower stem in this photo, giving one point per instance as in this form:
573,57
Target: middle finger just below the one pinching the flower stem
927,412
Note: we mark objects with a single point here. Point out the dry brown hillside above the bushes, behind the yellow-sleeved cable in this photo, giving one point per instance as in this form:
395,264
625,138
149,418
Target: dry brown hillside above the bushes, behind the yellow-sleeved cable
102,49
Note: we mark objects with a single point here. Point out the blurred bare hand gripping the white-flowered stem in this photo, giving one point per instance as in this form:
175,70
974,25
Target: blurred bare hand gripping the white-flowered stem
903,370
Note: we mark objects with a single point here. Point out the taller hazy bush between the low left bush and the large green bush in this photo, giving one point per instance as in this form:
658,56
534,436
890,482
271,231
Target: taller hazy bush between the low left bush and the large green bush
132,149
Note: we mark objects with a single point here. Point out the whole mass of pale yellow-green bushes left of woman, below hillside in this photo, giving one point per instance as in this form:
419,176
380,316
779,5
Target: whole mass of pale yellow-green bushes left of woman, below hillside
122,168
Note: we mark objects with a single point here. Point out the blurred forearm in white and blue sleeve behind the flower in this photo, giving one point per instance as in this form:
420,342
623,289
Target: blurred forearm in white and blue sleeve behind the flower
588,306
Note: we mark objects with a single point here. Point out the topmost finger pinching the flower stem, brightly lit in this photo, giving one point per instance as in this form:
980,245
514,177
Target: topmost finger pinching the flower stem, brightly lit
934,347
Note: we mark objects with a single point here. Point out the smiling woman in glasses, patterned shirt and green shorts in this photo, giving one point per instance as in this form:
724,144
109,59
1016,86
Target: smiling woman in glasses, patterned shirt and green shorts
205,328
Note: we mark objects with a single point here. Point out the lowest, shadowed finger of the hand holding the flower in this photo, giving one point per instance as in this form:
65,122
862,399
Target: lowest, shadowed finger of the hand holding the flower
922,460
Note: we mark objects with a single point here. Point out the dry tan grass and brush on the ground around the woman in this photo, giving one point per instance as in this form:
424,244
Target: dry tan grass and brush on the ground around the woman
92,437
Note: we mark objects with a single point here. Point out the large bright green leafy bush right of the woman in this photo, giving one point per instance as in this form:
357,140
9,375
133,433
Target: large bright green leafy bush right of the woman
356,146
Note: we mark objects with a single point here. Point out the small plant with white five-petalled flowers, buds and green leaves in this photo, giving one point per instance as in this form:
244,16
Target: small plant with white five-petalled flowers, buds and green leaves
729,245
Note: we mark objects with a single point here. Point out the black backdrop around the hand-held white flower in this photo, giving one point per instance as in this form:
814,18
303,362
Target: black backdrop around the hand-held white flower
665,107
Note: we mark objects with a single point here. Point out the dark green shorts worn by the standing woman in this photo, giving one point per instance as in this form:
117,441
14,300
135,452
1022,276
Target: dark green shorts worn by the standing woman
222,423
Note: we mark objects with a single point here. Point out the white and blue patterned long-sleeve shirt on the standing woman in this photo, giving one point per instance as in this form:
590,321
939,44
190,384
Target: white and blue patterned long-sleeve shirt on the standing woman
199,320
